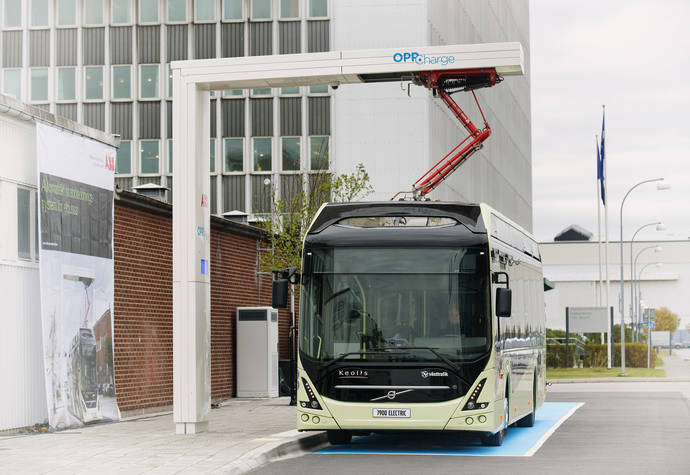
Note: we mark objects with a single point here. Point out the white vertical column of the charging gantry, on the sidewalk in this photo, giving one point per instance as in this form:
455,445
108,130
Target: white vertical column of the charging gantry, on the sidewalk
191,263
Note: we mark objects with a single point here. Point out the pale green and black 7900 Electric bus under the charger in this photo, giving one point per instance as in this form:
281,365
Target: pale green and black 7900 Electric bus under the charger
419,315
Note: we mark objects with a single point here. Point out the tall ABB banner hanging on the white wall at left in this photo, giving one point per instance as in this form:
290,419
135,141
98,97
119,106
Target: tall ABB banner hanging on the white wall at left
75,177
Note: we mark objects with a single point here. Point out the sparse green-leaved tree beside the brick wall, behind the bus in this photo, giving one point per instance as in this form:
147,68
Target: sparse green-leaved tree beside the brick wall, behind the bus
294,211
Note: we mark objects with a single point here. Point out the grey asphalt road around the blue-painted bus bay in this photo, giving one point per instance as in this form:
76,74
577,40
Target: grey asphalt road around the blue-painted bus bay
631,428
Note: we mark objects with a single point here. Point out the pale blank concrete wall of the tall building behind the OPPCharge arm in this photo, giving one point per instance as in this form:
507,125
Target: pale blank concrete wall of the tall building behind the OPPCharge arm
399,138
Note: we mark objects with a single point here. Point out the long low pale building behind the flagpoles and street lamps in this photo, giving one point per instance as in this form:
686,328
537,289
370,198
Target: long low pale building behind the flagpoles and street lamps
573,267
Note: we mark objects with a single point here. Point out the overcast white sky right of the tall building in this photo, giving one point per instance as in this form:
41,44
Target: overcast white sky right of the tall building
634,57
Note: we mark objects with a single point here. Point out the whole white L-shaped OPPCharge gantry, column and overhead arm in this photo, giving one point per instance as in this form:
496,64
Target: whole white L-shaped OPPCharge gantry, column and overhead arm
192,81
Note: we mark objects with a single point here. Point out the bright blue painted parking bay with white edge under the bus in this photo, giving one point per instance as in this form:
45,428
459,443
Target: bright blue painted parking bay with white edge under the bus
518,442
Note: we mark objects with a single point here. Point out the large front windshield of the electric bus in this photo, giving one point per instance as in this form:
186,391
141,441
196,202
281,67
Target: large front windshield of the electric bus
396,304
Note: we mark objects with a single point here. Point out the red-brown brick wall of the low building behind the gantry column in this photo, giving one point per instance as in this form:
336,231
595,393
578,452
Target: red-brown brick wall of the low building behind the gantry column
143,301
